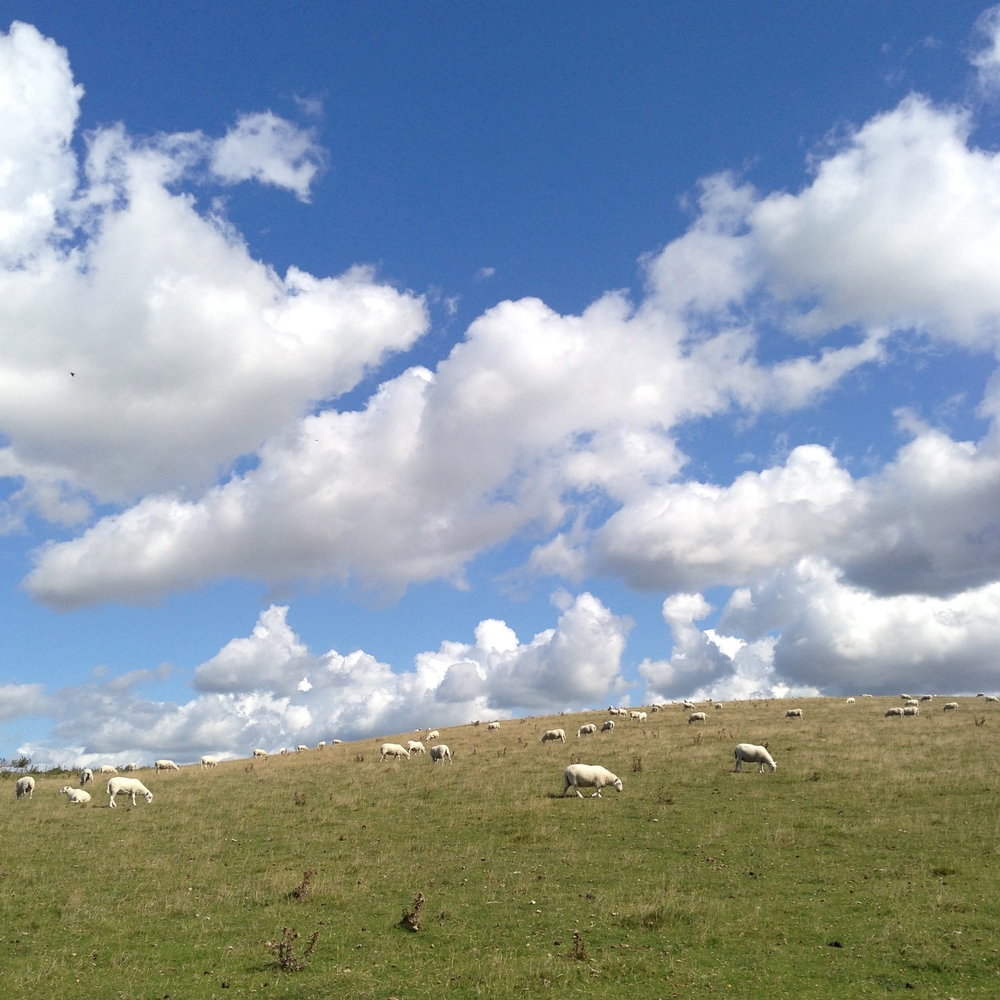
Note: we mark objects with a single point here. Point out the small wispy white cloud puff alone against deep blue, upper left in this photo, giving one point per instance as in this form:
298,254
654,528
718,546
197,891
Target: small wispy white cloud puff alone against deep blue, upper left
271,150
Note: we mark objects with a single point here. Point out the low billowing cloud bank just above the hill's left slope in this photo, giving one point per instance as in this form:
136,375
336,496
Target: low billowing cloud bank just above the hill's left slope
267,689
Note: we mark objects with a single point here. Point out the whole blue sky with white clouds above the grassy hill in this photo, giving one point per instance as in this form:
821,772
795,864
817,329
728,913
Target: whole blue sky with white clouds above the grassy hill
671,348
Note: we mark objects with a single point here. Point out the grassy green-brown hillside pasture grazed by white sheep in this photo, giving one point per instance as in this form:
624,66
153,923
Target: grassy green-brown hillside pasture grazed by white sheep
867,865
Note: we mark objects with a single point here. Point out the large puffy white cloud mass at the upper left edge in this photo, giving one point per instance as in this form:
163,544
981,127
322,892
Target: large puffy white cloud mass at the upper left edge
185,352
